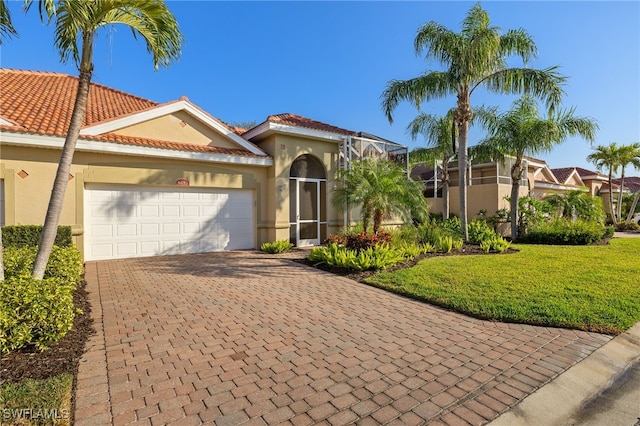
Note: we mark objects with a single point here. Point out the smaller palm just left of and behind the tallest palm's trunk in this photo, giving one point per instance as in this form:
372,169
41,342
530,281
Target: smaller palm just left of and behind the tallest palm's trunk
440,134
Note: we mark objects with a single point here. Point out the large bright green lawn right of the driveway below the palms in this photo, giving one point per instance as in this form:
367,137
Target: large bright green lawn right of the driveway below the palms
595,288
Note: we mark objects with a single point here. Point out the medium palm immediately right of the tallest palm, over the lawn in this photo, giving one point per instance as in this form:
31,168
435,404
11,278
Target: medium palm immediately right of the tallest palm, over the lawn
521,131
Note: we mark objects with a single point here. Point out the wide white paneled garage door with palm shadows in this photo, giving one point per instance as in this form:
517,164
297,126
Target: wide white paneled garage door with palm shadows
127,221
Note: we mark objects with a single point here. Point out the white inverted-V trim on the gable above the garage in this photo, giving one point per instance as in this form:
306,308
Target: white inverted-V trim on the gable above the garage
166,109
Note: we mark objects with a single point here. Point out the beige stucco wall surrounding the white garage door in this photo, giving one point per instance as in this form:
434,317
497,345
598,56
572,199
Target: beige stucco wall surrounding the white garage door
26,198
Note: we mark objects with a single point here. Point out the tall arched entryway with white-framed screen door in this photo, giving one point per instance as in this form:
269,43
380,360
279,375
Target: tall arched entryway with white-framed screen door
307,201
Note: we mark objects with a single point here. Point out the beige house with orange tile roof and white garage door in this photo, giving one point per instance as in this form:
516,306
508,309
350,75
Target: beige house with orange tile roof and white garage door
151,179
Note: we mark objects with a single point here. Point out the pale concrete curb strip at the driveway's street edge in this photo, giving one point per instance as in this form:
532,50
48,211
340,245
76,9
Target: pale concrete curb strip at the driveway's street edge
563,401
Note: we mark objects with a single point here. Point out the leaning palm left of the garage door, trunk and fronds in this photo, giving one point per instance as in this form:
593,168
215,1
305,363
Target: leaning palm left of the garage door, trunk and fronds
77,24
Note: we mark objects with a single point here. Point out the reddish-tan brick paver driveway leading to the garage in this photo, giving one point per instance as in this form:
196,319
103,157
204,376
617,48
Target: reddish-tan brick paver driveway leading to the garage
244,337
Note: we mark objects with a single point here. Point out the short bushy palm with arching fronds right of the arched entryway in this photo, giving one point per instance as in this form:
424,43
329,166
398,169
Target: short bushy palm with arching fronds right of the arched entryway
381,188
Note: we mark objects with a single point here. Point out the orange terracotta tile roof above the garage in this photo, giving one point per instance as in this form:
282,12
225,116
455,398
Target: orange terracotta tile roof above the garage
42,102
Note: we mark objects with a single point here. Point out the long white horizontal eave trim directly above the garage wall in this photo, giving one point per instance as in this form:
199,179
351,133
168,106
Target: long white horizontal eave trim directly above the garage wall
53,142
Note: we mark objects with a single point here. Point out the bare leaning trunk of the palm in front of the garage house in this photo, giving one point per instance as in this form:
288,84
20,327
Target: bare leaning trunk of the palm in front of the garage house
54,210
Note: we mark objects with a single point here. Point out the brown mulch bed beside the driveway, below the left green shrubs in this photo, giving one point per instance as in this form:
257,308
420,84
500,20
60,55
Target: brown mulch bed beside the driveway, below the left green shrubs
61,357
